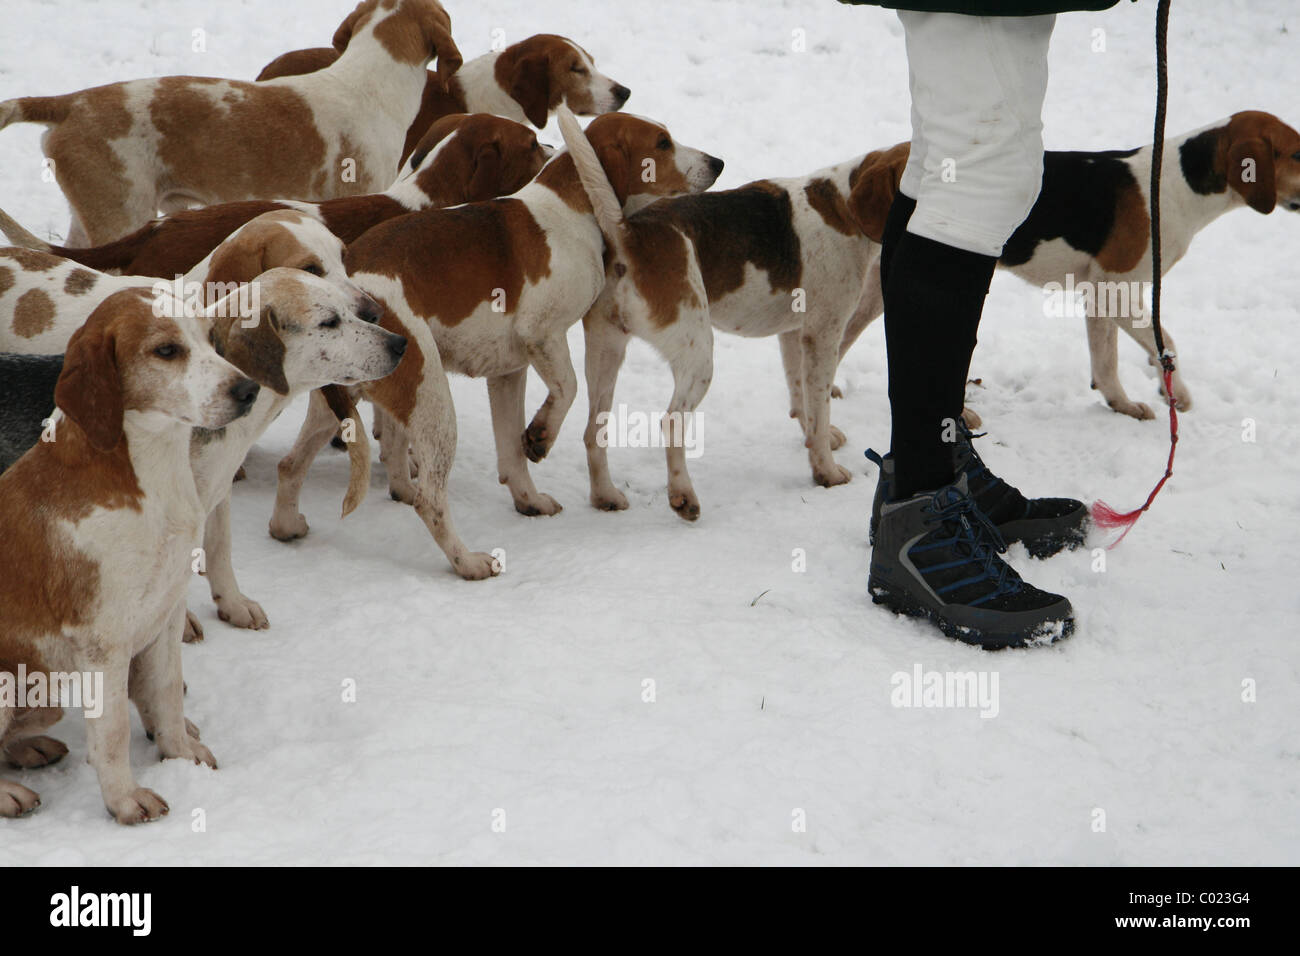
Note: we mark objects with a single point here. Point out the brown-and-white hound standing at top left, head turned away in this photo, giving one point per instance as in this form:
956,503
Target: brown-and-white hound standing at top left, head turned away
124,152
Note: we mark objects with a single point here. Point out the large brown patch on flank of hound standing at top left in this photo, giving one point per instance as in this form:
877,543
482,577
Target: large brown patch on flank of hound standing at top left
228,139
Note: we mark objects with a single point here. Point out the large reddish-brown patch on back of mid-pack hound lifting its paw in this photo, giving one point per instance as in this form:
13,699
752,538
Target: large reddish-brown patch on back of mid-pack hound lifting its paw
453,261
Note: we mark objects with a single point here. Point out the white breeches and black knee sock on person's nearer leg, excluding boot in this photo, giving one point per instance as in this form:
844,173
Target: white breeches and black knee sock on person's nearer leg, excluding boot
974,172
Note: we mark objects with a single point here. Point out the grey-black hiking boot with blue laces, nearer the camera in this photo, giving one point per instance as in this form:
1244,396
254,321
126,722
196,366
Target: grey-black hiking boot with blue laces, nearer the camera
937,556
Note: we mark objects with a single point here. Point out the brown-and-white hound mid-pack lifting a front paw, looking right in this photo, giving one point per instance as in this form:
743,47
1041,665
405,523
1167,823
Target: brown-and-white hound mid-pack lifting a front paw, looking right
489,291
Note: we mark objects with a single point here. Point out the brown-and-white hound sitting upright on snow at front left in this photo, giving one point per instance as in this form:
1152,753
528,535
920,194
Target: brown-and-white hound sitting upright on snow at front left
99,530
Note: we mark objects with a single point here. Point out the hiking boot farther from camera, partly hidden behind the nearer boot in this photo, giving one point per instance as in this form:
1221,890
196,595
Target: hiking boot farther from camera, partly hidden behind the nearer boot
1047,526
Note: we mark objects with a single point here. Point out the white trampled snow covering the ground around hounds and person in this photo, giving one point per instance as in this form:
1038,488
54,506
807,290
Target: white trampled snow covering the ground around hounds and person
522,699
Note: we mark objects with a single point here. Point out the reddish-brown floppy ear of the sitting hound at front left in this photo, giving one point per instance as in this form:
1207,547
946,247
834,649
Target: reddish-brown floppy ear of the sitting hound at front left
90,387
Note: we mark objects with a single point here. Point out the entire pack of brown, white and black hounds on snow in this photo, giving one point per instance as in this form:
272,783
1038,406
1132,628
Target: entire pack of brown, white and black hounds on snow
137,371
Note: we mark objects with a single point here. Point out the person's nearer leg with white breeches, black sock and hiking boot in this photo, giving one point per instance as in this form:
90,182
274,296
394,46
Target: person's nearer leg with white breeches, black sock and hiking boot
974,174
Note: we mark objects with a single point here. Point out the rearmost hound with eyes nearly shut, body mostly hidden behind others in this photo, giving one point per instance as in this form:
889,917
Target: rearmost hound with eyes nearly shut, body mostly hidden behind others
523,83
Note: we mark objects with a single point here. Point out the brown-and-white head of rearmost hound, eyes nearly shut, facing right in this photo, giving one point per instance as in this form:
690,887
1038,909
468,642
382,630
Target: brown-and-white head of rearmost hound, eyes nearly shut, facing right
545,71
